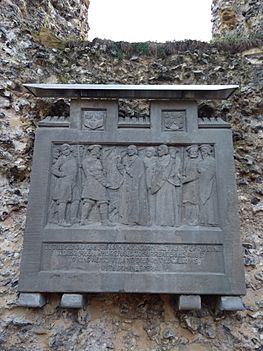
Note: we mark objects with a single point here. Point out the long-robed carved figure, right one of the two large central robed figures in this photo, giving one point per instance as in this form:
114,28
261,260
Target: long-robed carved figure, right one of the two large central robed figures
165,181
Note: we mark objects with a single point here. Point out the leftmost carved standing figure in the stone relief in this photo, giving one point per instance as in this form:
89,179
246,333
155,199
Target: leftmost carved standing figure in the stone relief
65,169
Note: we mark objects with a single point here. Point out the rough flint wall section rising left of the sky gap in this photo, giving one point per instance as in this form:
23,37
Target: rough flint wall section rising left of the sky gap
51,23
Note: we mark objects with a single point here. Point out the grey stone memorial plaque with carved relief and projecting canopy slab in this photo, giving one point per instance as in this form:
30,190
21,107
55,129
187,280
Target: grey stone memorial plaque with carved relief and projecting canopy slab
120,204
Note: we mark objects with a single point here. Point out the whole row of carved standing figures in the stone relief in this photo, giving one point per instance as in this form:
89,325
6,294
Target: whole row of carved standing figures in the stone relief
155,185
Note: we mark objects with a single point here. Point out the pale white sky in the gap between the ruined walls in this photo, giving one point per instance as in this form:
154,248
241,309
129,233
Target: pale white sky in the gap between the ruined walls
143,20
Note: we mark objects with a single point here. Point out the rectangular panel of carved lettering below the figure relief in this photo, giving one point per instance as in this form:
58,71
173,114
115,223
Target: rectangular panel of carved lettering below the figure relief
119,257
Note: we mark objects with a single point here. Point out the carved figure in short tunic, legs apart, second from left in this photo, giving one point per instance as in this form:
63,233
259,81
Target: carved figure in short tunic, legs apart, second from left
95,187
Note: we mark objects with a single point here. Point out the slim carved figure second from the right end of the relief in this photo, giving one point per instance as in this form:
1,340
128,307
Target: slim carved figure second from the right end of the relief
190,182
